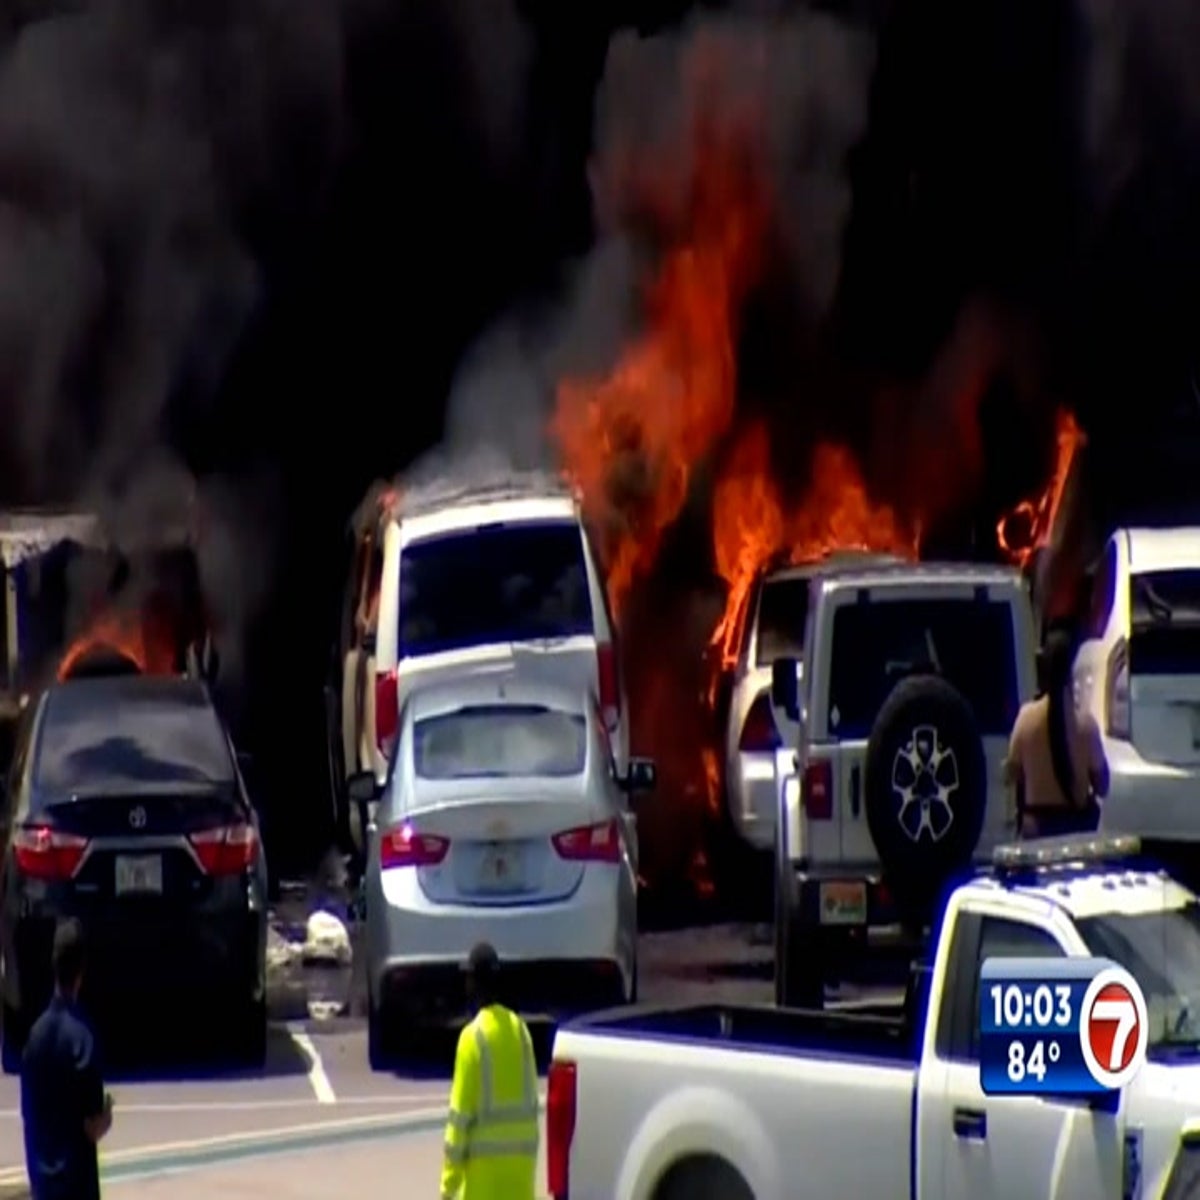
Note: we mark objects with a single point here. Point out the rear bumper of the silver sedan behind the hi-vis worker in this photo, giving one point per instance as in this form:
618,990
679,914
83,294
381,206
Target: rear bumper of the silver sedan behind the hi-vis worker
563,956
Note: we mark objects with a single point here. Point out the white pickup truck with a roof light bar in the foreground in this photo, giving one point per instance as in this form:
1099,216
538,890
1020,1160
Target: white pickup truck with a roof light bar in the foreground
760,1103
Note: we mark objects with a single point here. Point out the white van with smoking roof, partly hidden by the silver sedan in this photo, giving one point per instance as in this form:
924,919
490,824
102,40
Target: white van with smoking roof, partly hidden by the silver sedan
487,578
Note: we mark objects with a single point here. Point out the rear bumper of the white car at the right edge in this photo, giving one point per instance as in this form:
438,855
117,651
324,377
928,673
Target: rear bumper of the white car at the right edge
1151,800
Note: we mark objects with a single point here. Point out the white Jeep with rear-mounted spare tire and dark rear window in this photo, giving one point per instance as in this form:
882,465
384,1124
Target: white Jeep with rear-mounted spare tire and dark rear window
914,676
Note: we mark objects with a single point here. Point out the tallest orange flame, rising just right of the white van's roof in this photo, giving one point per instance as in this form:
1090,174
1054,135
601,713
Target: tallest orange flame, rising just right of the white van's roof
631,441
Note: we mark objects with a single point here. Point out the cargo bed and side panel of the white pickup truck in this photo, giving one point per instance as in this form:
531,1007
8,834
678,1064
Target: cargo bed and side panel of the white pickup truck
662,1084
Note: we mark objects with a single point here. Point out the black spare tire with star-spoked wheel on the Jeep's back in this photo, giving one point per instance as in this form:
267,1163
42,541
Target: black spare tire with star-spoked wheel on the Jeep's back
926,788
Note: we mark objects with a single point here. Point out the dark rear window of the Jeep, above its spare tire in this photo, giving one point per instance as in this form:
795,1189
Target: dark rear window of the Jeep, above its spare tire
970,644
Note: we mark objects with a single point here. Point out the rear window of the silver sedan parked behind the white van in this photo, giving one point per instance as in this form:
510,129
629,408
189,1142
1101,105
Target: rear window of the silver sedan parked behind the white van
511,740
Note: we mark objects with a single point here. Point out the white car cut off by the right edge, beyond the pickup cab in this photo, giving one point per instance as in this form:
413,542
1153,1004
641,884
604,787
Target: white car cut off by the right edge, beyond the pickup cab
1138,673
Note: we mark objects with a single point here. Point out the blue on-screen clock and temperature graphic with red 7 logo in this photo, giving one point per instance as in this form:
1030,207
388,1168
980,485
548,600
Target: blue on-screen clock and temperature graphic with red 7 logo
1059,1027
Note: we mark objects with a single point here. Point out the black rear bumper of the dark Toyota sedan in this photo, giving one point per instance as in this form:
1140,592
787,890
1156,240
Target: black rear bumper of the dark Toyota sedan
136,959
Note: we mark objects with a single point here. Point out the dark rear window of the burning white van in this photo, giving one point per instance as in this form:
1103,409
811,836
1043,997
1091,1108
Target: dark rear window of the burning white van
505,584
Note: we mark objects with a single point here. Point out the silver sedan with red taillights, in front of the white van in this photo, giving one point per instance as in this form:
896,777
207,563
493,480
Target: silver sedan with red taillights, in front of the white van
506,818
